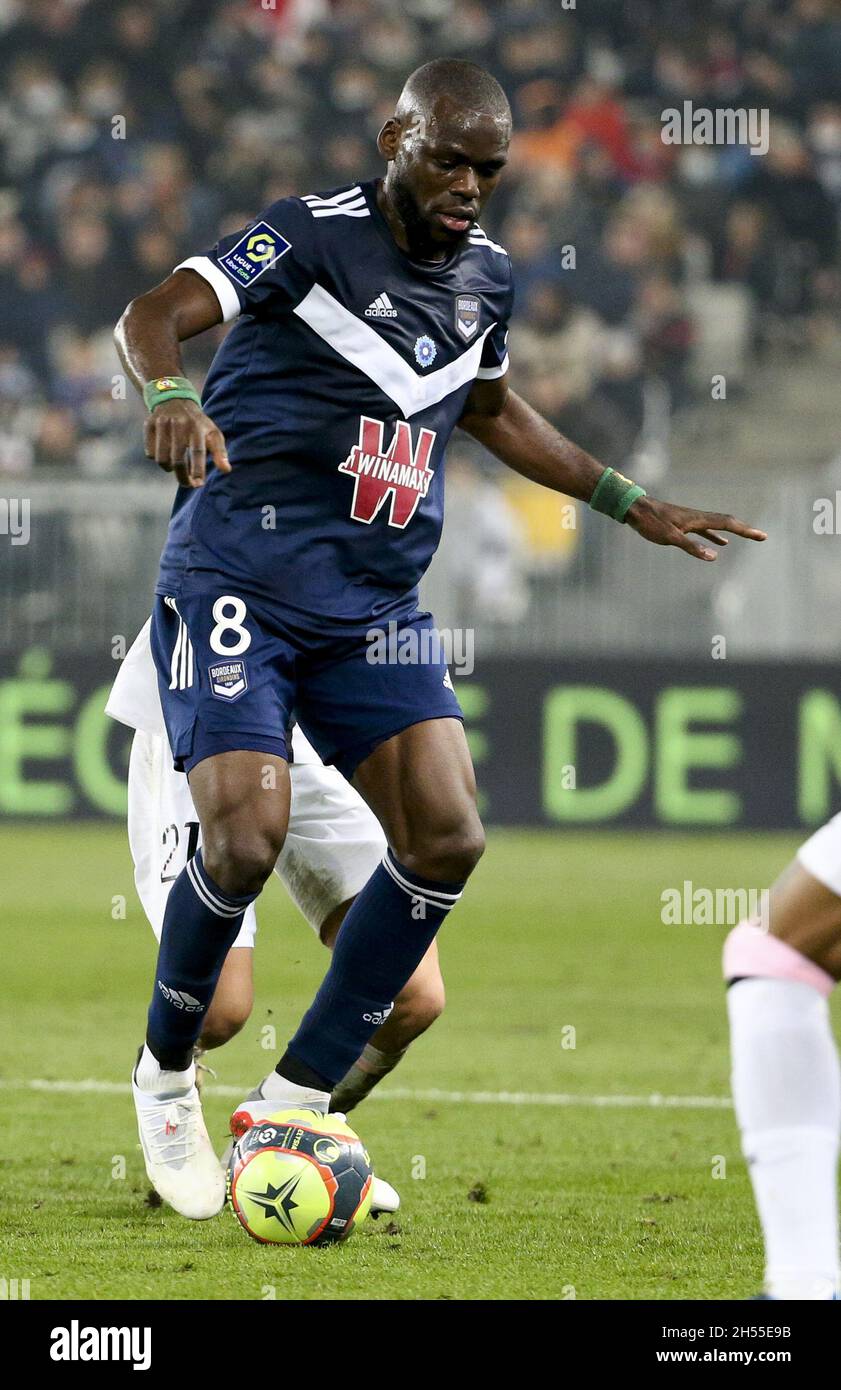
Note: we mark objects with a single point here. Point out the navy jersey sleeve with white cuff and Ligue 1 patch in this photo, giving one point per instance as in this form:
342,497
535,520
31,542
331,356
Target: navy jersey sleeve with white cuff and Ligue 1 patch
266,266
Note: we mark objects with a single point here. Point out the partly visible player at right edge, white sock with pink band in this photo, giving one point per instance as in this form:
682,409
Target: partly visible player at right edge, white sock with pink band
786,1077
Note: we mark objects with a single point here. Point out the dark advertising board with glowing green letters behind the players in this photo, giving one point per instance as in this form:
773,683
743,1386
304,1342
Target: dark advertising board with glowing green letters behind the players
596,743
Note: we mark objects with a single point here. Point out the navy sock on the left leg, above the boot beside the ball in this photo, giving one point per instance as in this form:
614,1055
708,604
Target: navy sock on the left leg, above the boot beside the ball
201,924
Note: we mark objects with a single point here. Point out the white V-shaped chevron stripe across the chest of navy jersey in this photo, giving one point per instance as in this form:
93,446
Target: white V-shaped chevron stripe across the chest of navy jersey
364,348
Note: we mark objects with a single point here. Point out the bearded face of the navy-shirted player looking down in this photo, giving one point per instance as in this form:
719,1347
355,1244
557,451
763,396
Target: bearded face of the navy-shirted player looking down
444,174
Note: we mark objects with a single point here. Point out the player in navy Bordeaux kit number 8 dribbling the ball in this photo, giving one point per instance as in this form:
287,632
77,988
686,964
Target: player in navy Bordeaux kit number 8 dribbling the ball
370,322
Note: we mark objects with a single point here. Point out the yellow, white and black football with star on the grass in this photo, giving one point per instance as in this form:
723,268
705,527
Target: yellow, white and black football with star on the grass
300,1179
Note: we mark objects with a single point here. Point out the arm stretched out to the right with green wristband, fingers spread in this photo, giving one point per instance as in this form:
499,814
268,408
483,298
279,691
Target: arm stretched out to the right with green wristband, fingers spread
523,440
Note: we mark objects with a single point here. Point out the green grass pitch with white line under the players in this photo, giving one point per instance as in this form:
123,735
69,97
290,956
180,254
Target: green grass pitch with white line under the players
558,942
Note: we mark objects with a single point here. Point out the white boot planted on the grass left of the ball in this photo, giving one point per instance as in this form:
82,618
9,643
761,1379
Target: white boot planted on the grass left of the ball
180,1160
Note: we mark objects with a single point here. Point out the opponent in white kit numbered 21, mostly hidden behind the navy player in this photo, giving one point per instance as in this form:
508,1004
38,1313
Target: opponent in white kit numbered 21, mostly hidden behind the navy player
332,850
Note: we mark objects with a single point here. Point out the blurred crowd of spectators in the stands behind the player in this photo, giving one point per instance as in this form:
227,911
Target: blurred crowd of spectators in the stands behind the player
133,131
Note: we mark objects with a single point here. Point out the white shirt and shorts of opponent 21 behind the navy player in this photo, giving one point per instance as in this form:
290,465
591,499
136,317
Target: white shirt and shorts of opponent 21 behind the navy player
334,840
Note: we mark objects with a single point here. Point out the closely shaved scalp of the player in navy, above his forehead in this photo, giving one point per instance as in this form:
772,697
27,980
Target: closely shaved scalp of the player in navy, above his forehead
452,88
